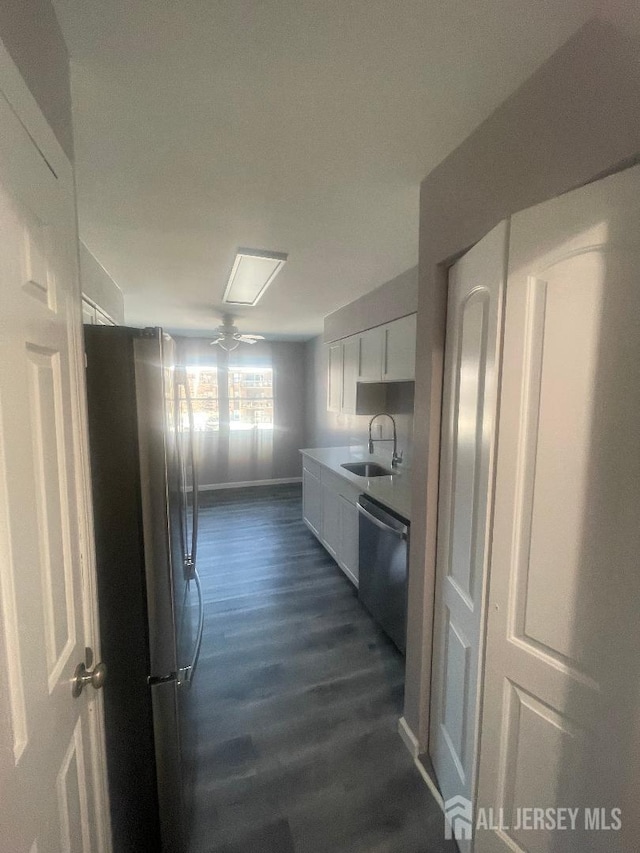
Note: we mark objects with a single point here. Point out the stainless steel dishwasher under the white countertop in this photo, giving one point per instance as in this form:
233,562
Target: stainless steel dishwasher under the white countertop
383,558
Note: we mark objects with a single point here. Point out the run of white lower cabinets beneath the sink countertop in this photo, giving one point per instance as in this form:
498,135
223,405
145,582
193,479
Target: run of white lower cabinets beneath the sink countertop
329,510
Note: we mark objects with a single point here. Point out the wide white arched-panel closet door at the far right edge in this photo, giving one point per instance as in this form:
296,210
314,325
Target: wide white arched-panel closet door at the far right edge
562,683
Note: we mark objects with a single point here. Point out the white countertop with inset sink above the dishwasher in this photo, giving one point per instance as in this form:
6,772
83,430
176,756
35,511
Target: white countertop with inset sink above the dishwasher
393,491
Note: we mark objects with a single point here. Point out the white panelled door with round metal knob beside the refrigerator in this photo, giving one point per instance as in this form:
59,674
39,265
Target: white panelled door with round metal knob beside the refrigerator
51,774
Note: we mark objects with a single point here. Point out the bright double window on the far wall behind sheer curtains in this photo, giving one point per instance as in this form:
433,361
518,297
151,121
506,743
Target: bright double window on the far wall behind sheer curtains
246,401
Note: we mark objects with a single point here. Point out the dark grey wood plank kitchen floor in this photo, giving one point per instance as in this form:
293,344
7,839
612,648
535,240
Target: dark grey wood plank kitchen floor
298,697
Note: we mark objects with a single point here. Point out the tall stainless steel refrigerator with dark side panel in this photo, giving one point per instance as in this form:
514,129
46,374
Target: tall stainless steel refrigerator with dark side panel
145,489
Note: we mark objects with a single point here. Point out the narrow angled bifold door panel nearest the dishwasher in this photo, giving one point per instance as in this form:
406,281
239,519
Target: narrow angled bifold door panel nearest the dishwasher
474,314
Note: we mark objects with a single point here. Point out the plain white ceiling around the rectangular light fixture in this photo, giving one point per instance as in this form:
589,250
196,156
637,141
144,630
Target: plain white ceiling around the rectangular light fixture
303,126
